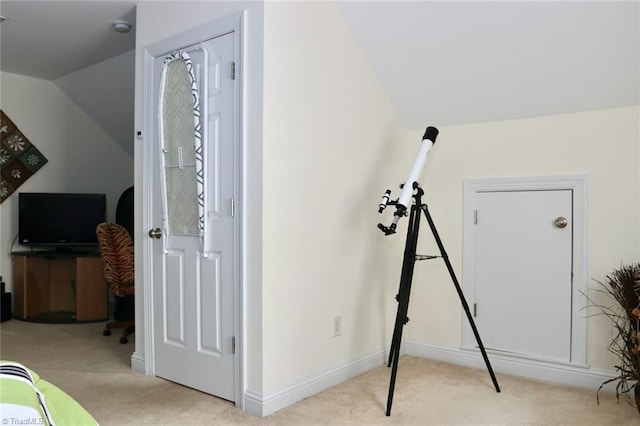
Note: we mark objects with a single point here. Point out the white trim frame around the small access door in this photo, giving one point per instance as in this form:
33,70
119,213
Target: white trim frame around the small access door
578,184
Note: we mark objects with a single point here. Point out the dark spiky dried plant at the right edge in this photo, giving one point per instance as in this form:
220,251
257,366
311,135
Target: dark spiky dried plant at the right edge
623,286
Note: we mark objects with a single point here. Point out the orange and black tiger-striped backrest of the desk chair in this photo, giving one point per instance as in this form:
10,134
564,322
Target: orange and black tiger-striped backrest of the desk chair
116,249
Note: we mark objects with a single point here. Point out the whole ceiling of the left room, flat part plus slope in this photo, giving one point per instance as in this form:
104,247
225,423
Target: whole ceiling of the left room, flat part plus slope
73,44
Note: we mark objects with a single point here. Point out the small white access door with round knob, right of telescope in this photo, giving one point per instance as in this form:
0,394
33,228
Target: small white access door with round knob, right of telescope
523,272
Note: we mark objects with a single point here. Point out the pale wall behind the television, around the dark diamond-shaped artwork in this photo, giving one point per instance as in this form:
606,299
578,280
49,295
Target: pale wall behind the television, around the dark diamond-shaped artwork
81,156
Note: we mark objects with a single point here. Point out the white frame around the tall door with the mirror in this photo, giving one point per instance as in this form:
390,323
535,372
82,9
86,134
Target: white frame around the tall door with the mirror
219,27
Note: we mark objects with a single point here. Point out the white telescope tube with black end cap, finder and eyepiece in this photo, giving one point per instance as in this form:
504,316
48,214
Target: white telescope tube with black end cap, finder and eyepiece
410,184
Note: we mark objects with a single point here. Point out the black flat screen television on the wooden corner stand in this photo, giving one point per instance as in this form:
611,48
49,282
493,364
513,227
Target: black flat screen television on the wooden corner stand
60,221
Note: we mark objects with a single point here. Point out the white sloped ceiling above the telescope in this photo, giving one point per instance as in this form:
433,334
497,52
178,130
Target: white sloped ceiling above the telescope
447,63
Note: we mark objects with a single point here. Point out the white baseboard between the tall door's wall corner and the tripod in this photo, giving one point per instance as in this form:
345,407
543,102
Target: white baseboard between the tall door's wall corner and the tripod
263,405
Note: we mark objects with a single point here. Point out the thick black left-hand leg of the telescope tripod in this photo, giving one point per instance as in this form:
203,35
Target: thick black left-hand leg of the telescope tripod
404,293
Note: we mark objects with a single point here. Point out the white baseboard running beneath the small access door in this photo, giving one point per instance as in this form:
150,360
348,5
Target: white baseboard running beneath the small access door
566,374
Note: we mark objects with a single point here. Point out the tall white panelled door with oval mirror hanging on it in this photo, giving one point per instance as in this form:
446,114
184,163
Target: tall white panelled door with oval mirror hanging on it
195,255
